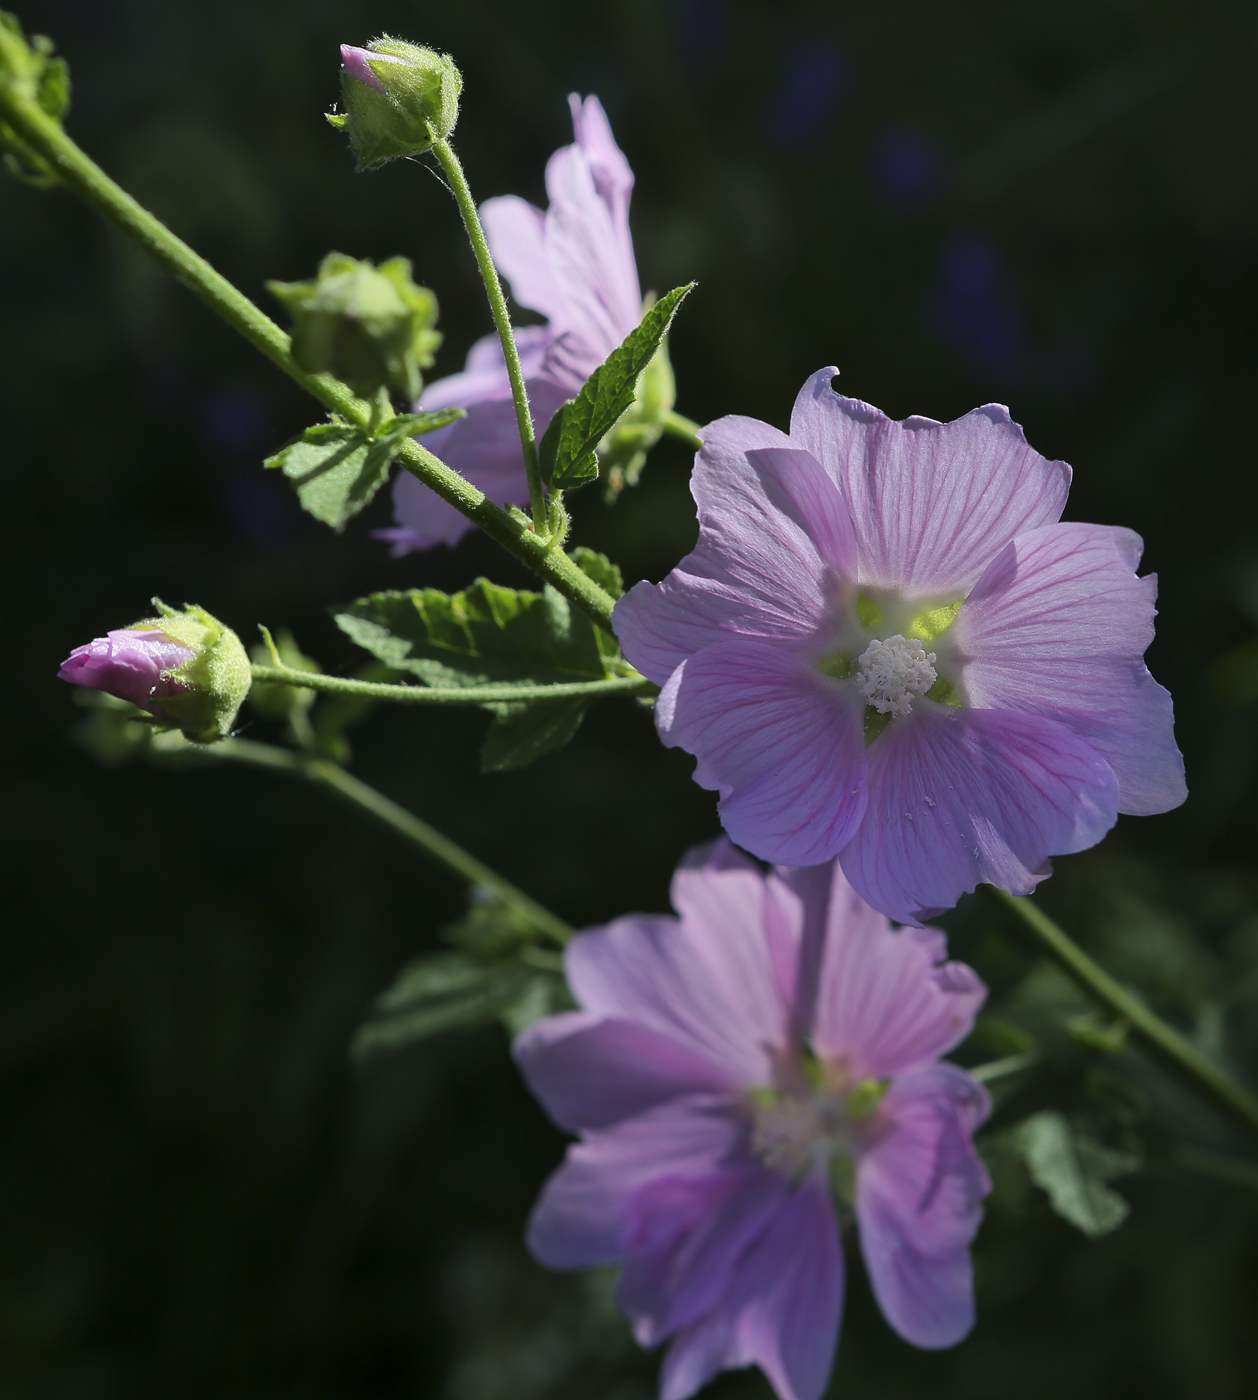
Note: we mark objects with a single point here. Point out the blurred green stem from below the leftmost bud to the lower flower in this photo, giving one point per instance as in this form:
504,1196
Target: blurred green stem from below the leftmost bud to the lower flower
407,824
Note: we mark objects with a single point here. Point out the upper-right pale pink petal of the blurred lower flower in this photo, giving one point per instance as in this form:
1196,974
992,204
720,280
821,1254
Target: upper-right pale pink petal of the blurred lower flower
885,1003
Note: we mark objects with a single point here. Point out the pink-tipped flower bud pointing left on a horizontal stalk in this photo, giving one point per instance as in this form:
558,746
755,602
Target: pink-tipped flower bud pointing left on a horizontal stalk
185,668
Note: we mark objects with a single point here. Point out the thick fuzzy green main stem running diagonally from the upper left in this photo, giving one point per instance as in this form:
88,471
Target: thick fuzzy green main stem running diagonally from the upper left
80,174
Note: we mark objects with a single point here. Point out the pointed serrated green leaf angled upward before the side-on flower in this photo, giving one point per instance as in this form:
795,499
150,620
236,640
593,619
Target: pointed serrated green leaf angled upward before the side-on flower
569,451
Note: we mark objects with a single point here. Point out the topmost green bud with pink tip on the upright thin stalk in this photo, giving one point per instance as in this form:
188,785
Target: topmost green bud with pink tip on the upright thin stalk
400,100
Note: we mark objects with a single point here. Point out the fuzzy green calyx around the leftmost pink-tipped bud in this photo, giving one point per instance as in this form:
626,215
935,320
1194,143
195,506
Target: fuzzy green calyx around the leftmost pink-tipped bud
218,675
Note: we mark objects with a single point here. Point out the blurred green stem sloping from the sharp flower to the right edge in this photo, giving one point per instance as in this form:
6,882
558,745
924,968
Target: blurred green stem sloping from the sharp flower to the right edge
1168,1045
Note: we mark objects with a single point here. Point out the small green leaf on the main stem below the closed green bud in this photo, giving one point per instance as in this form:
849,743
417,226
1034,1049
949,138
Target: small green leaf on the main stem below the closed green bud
338,468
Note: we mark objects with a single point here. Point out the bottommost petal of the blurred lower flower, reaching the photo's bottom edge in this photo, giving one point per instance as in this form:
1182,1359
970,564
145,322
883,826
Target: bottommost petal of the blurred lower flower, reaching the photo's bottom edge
780,1312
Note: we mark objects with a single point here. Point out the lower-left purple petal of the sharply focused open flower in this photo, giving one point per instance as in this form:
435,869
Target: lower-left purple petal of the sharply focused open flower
780,741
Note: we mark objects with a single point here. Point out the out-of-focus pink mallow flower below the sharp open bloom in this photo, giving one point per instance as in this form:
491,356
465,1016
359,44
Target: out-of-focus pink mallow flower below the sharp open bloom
728,1073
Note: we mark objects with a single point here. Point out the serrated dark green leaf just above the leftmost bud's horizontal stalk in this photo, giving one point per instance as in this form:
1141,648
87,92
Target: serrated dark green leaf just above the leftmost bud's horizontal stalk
482,636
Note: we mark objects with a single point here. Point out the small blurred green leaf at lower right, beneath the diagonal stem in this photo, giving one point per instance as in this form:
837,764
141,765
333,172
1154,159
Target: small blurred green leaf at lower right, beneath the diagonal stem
1073,1168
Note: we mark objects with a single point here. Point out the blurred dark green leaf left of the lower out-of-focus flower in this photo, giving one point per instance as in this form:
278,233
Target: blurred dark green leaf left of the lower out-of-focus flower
437,993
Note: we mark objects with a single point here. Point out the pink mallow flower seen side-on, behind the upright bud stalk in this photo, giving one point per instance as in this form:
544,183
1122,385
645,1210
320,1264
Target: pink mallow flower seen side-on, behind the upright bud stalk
576,265
